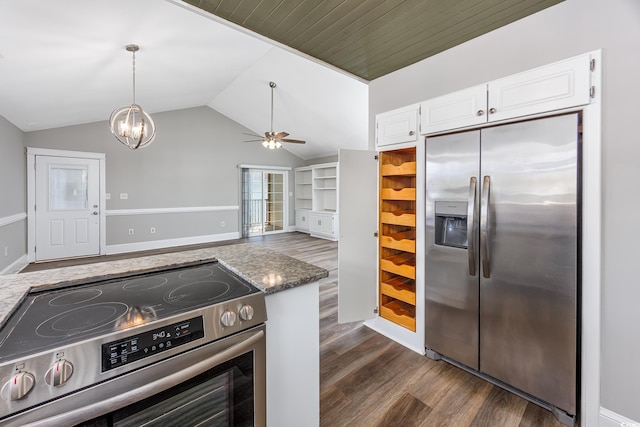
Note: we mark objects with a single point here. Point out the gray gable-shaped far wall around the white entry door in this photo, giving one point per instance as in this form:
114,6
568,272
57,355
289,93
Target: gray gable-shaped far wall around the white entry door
192,163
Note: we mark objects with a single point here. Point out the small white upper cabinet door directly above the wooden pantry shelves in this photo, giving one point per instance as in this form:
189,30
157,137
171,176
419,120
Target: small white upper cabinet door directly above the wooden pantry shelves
397,126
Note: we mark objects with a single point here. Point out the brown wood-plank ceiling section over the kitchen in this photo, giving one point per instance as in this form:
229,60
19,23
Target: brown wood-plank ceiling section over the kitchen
371,38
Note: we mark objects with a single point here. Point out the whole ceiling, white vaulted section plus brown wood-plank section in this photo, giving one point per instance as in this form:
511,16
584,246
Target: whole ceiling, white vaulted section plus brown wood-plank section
63,62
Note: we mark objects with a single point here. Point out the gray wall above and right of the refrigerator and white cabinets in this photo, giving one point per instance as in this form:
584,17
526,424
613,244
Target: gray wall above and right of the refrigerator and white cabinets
567,29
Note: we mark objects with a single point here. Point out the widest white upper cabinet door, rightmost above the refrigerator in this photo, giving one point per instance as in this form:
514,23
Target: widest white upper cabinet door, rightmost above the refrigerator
563,84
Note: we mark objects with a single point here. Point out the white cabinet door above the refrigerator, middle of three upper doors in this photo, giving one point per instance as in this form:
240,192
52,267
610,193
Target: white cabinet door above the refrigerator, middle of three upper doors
455,110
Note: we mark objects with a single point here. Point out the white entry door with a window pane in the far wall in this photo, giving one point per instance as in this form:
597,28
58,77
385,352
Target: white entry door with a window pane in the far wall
67,208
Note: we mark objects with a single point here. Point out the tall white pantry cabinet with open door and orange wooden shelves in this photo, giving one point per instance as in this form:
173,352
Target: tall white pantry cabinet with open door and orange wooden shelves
358,292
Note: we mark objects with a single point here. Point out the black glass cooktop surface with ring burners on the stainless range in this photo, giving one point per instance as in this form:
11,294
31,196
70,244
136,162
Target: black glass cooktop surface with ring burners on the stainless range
47,319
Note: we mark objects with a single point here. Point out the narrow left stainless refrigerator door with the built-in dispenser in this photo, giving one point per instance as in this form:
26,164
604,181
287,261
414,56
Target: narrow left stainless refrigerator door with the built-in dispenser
451,279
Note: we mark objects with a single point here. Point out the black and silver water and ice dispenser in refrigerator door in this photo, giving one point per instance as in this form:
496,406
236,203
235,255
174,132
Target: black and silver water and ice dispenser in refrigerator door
451,224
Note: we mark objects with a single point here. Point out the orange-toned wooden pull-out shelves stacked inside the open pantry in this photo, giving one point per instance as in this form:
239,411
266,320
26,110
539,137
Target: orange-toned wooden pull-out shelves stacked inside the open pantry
397,237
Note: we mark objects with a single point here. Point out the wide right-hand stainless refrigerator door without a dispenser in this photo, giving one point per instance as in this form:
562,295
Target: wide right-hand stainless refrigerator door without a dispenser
528,313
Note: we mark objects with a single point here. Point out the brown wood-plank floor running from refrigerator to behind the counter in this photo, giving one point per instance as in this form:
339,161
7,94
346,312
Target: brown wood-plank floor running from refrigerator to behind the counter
369,380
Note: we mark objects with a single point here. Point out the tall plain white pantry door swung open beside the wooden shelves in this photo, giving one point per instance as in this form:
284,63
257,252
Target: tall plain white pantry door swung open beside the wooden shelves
358,250
